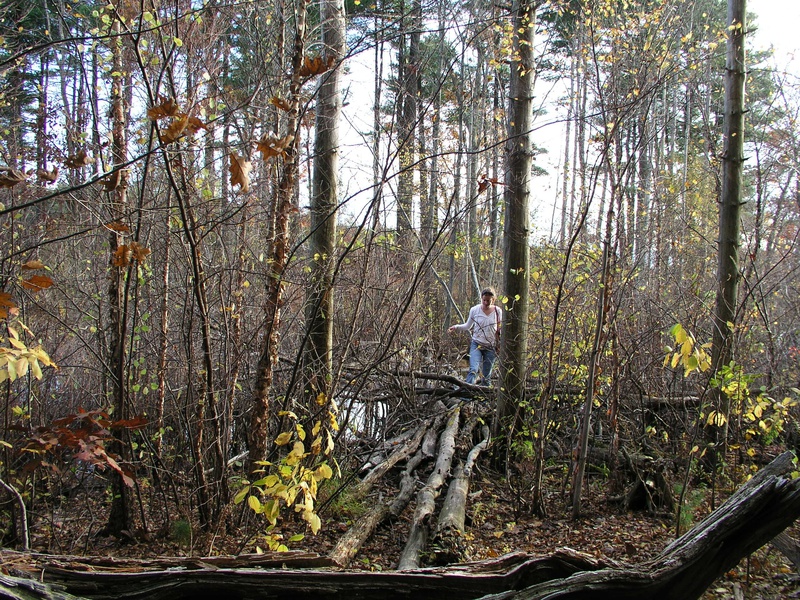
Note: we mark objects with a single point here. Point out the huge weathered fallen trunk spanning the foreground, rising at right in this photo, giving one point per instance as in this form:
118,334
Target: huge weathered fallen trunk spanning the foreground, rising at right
754,515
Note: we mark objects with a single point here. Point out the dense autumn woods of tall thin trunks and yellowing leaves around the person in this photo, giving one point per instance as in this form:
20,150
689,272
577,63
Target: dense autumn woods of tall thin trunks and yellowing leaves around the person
228,264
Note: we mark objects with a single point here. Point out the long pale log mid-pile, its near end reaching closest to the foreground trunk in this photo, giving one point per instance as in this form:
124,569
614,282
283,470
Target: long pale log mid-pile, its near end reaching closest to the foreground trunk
426,498
